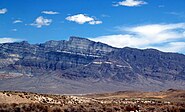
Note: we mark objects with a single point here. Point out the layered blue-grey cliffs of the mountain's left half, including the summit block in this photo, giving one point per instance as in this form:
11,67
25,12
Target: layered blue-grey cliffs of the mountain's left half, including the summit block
52,55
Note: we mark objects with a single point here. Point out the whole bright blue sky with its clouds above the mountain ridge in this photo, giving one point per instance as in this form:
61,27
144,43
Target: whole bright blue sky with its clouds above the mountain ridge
141,24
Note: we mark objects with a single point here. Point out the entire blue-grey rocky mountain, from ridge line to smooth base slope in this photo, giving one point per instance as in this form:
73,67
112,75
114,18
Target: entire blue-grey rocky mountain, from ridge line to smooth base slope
80,65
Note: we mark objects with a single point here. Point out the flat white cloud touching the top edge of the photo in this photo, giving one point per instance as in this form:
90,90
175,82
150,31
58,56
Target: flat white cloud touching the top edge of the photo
131,3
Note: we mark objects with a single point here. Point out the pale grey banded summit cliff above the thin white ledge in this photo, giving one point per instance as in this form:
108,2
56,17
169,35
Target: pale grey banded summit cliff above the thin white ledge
79,46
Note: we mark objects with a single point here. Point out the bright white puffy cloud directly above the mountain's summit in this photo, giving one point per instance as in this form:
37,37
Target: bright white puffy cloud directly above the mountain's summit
81,19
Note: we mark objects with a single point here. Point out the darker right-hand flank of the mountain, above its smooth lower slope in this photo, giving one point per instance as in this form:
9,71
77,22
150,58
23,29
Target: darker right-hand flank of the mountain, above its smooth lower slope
134,65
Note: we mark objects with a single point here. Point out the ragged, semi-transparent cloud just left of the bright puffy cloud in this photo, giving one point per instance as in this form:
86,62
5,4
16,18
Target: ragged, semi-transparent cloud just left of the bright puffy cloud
40,21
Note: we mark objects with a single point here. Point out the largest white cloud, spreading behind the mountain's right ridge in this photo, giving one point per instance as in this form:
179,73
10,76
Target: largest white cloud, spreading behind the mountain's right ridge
165,37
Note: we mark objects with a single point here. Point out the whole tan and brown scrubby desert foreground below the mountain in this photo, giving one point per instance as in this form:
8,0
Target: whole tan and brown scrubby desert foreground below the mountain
110,102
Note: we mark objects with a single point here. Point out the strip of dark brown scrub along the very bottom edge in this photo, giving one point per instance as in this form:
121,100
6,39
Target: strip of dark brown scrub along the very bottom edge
38,107
